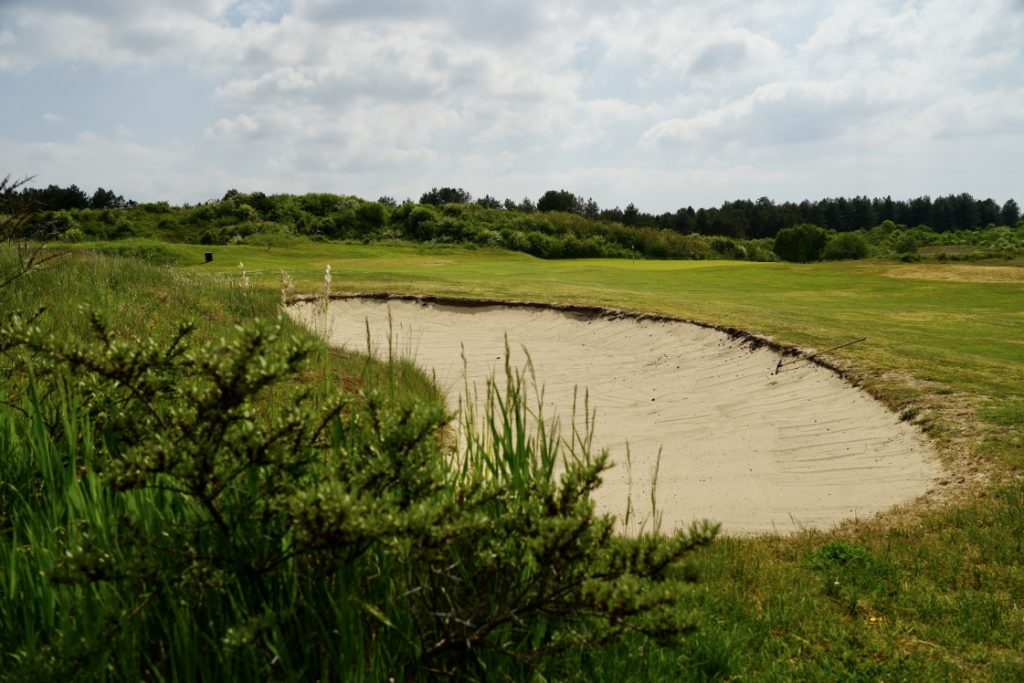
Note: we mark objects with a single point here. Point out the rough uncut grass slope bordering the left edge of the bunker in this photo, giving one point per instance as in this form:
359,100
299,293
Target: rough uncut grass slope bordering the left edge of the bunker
138,301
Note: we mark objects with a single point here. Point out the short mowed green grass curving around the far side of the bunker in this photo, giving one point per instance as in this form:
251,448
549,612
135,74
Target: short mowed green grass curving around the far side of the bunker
934,592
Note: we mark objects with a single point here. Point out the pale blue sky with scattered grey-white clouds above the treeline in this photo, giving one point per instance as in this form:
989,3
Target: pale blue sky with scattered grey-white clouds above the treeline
660,104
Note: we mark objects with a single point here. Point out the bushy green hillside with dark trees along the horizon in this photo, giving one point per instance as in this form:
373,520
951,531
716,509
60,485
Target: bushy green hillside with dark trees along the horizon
559,226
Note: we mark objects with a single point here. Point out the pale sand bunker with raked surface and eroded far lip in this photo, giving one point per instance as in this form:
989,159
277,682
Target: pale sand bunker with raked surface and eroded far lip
754,451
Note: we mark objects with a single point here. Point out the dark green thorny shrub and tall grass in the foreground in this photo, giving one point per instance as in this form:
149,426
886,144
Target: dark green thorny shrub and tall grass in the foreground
160,524
